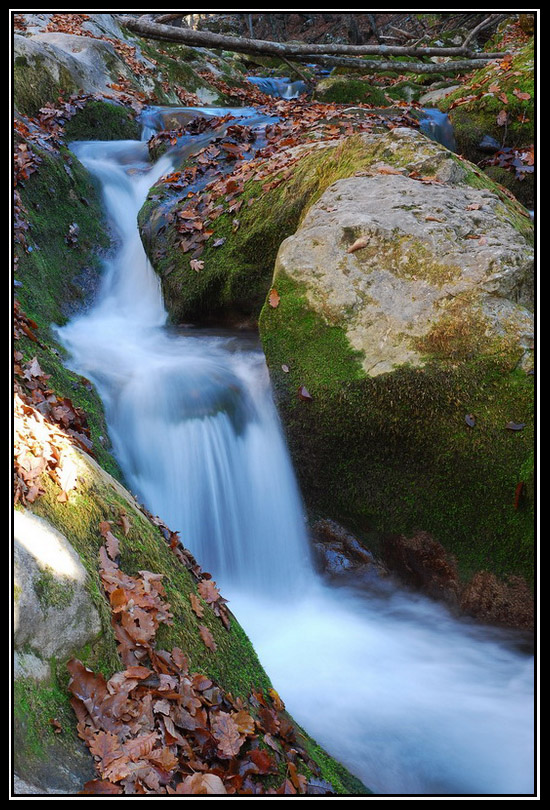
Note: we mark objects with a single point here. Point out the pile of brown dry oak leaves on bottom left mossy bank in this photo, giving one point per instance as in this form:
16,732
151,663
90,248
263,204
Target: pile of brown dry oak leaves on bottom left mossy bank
155,728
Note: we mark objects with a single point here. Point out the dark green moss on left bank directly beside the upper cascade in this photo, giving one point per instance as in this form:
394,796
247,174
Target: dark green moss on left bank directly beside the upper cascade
56,277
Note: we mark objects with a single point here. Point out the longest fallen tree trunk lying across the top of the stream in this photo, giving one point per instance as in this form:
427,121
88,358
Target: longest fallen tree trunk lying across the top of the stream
207,39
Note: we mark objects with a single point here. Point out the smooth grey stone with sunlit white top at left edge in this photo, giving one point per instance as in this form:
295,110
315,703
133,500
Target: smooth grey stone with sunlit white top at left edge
53,614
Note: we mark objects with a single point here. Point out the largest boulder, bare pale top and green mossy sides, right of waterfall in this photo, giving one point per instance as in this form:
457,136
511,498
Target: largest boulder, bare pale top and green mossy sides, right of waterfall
387,442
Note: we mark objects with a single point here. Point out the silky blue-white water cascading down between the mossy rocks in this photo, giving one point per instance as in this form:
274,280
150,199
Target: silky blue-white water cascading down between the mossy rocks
412,700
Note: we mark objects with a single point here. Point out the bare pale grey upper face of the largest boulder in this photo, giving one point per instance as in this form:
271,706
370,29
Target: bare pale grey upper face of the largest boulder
387,258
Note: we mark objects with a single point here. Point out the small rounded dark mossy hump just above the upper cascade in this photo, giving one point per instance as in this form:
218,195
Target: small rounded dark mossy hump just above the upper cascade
102,121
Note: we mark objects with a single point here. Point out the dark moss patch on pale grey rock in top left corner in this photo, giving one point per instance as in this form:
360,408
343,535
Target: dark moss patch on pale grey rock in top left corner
34,86
